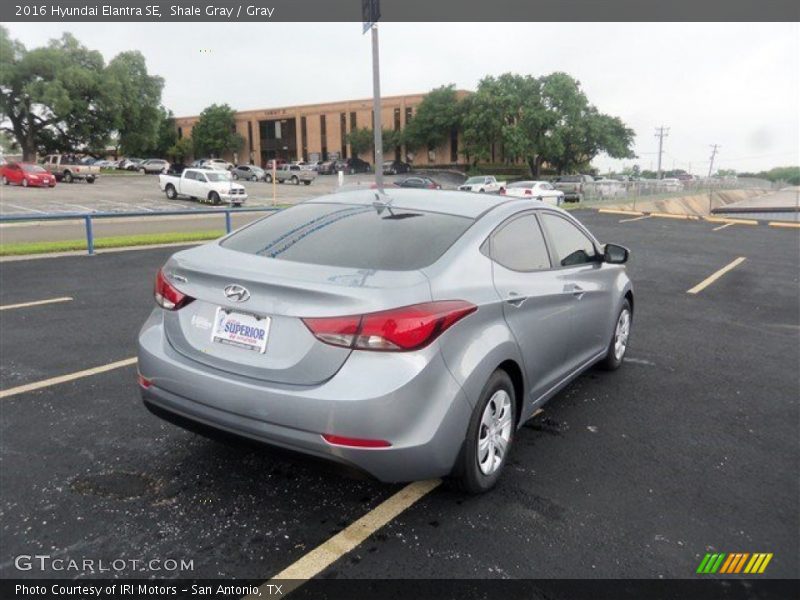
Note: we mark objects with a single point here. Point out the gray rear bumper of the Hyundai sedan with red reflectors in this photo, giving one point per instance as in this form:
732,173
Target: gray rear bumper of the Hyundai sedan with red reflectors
409,400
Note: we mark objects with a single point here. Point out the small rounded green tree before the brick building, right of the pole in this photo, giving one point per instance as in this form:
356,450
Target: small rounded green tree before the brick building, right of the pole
435,118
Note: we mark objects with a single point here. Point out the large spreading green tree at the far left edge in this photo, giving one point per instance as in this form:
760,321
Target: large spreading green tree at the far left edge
57,97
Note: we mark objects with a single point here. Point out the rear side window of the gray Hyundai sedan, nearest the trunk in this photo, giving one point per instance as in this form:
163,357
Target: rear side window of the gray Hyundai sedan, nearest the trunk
519,245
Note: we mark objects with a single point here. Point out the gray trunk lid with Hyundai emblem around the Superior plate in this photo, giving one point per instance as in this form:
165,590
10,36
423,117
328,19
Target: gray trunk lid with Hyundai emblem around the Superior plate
284,292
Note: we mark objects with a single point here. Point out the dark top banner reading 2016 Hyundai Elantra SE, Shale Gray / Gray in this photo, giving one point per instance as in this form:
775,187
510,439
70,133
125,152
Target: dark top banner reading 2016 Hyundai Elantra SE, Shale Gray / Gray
399,10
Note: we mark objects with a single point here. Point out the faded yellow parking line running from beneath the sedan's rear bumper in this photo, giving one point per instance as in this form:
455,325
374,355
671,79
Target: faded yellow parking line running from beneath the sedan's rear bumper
324,555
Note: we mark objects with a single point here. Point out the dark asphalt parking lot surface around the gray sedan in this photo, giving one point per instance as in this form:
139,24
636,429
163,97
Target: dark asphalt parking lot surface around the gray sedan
692,447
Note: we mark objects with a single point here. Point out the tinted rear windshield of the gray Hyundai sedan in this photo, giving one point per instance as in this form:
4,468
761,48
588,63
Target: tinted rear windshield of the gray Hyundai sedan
353,236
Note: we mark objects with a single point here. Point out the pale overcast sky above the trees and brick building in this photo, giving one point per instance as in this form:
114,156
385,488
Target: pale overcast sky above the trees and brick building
737,85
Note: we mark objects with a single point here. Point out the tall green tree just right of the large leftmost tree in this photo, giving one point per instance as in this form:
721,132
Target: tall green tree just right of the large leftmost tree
140,115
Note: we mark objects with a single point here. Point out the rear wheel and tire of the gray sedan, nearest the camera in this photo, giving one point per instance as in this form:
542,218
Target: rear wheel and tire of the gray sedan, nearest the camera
468,475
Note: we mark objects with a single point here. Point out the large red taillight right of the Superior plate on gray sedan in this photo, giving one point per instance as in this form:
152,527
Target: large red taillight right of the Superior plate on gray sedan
399,329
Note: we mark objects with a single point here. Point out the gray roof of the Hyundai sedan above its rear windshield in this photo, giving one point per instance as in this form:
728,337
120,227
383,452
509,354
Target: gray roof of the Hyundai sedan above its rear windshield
451,202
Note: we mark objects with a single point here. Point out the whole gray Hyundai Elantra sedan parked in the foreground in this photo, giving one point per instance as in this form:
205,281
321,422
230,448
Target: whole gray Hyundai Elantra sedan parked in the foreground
408,333
